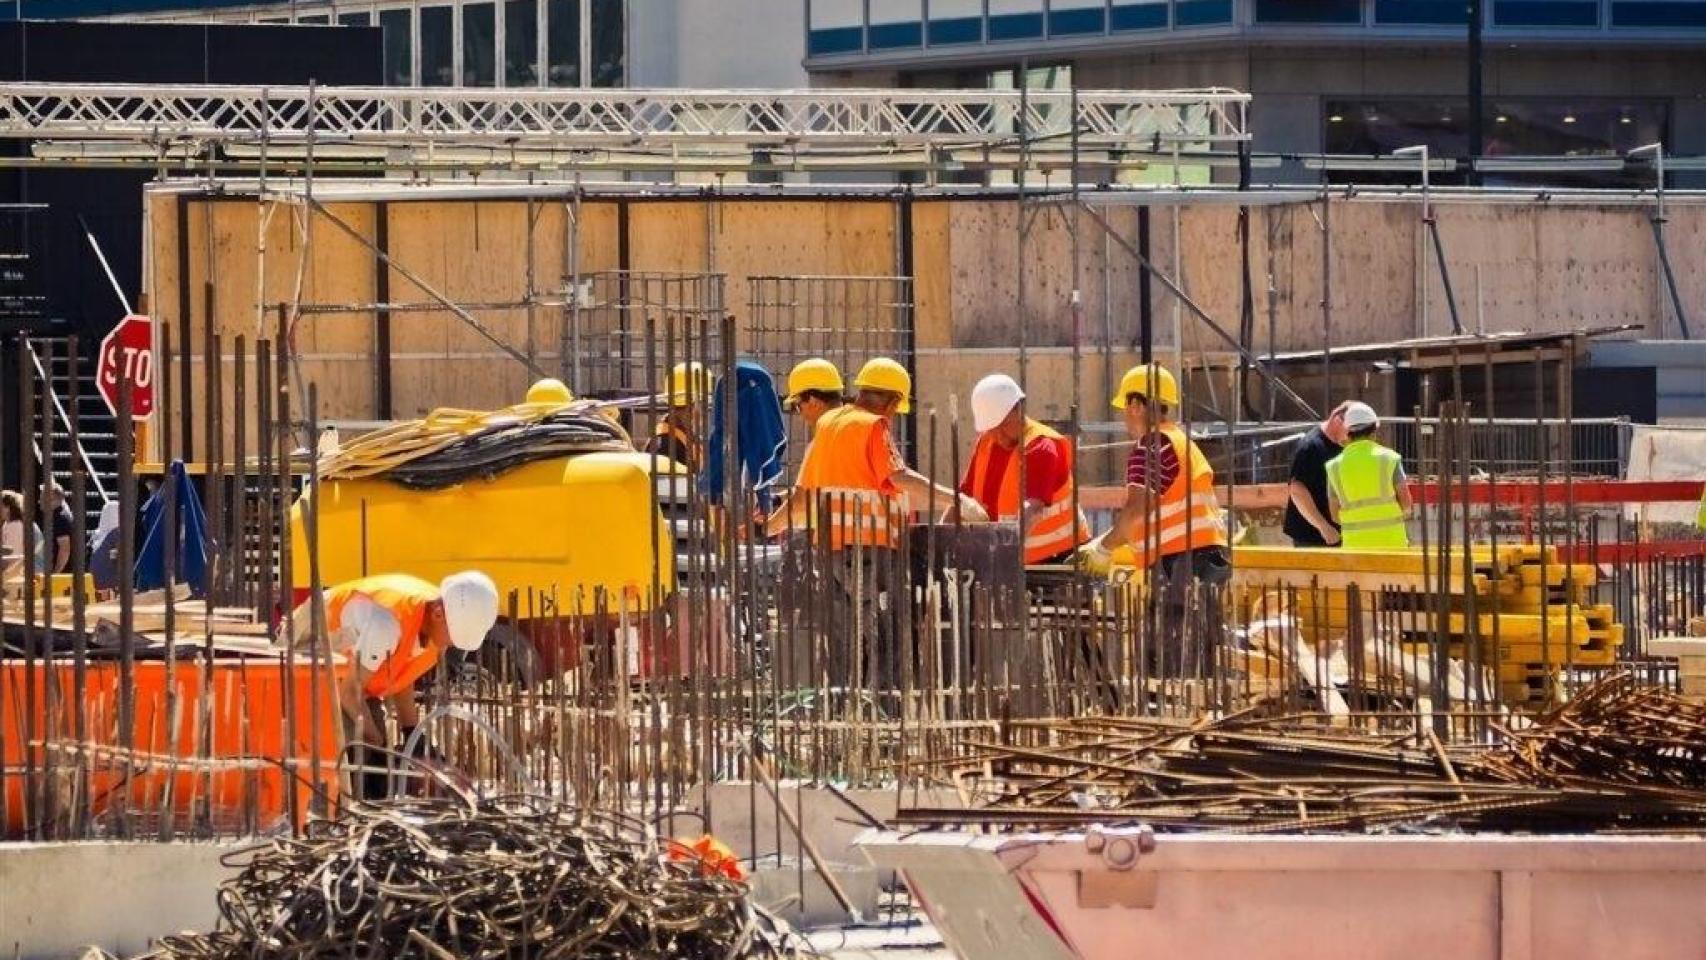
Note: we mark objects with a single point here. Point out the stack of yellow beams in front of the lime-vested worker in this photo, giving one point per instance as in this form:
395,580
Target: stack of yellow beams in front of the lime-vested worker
1516,611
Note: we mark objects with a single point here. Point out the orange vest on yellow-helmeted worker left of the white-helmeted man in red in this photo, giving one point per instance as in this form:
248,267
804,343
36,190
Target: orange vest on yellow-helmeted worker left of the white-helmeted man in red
852,497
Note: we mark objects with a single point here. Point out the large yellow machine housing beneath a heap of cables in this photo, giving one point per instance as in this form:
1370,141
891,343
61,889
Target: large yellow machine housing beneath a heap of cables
572,526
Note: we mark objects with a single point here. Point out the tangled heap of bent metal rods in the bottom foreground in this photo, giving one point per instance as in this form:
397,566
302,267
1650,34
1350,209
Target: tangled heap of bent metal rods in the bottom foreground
461,879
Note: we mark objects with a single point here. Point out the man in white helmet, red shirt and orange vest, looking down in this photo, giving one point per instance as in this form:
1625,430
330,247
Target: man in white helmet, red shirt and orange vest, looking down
999,415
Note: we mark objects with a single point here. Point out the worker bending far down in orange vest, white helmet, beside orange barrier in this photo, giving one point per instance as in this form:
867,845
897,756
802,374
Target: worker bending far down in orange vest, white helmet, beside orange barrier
395,628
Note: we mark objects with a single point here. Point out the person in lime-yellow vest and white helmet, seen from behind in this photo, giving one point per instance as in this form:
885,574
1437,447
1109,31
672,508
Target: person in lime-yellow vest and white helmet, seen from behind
1366,487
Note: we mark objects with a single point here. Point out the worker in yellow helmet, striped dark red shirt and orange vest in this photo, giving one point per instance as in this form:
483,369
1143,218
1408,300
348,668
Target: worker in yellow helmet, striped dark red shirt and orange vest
1171,516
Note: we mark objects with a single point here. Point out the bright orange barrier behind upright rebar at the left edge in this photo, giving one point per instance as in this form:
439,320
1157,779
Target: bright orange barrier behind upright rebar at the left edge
243,765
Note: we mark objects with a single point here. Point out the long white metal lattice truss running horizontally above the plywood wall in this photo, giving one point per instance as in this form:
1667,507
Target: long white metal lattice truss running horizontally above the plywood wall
682,120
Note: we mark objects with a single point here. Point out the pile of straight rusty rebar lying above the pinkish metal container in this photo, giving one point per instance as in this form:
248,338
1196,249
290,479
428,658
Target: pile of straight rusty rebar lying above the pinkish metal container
1623,758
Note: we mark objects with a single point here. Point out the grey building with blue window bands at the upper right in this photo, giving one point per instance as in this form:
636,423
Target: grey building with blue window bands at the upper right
1560,78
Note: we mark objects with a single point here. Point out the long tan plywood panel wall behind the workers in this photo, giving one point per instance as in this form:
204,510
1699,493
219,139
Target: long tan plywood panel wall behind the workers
1514,267
